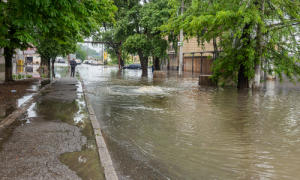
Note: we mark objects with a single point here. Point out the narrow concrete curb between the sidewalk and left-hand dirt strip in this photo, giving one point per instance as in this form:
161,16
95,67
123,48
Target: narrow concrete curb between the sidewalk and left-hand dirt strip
22,109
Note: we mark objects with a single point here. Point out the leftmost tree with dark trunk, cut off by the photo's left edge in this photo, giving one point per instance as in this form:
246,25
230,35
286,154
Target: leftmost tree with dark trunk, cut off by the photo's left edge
16,24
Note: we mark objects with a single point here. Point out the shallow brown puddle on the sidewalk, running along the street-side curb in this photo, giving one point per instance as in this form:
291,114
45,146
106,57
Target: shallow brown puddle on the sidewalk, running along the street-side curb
85,162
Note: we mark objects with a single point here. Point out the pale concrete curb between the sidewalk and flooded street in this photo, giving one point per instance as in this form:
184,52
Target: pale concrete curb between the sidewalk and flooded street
105,159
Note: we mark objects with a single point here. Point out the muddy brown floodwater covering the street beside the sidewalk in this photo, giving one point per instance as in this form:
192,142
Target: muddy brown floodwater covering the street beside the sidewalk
172,129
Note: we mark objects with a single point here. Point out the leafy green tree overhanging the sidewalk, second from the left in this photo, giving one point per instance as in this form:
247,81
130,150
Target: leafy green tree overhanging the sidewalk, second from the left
70,24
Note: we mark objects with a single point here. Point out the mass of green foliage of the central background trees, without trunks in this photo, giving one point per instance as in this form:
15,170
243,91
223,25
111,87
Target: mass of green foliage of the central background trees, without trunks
137,29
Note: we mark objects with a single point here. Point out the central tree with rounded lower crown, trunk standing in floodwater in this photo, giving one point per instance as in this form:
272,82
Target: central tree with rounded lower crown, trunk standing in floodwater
141,25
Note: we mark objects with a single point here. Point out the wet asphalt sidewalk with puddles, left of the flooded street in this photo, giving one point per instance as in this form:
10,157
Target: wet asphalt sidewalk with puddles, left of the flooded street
53,140
